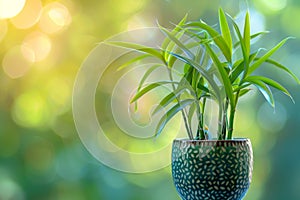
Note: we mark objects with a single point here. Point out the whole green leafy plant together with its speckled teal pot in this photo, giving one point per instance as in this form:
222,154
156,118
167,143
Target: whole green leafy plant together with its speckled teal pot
218,64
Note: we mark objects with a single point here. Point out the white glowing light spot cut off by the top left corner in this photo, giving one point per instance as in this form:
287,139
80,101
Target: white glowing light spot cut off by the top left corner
10,8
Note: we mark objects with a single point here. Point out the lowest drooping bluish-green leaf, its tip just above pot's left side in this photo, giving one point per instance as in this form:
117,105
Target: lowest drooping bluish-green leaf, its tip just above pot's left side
171,113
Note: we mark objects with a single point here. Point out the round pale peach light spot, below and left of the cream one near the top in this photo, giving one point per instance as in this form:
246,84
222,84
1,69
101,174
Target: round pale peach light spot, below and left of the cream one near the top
39,44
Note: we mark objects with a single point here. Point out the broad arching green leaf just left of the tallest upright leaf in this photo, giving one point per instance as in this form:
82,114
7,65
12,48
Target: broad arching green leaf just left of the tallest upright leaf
218,39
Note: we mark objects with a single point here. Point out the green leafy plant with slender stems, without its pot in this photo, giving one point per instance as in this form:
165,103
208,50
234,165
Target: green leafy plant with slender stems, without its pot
218,64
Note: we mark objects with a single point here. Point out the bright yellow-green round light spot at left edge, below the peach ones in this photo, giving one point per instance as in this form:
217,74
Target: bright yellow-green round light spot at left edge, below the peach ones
31,110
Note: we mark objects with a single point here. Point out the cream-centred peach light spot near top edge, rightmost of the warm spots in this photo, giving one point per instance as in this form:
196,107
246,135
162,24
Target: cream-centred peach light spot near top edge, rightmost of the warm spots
55,17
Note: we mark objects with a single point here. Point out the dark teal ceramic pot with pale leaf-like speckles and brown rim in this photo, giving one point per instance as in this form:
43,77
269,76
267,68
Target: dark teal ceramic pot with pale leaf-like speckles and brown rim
212,169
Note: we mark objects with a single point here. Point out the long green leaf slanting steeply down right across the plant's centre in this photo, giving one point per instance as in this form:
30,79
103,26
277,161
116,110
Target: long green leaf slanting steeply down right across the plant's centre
225,79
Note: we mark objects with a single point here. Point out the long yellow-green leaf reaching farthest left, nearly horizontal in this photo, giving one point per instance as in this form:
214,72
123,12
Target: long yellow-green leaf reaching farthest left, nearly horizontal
145,49
